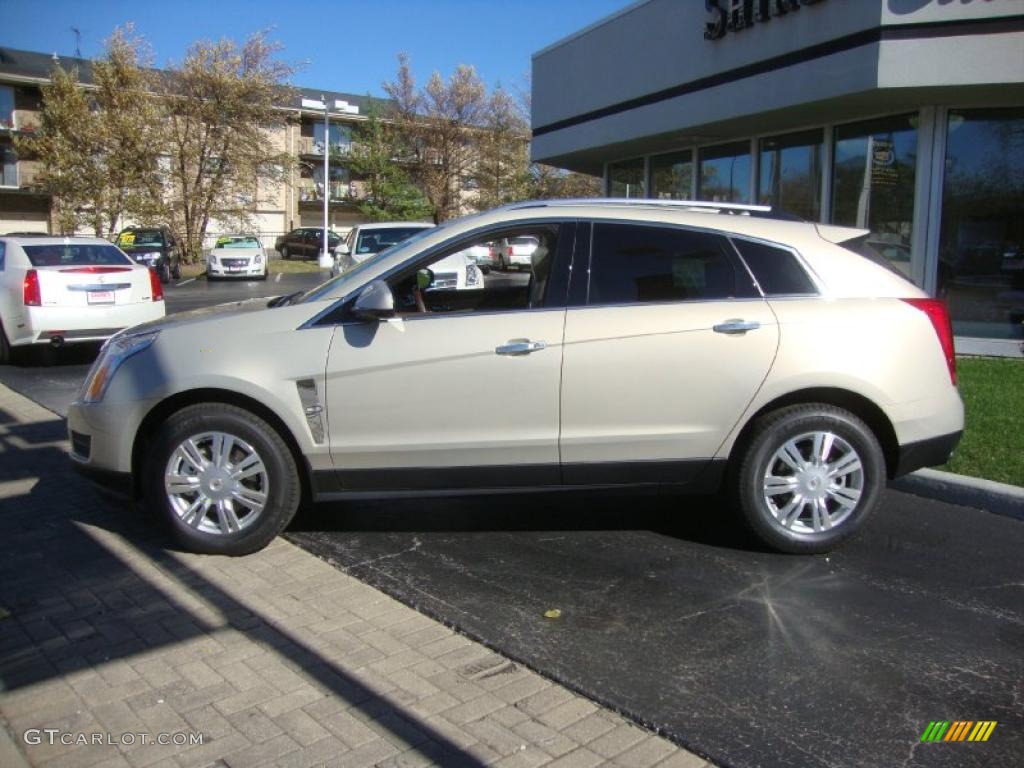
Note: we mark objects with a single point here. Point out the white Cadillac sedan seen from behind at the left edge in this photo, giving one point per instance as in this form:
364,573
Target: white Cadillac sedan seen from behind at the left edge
67,290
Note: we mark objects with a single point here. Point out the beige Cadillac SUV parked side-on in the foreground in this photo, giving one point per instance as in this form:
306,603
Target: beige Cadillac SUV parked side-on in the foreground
652,345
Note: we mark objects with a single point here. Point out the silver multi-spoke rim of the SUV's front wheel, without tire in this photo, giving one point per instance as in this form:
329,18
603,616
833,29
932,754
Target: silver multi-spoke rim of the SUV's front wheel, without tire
217,483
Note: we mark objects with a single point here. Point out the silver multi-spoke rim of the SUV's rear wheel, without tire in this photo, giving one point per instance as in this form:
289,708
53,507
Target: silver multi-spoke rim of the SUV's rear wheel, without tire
814,483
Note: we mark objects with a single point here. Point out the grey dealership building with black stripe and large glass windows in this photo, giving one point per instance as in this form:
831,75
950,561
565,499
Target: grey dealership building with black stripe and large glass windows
902,117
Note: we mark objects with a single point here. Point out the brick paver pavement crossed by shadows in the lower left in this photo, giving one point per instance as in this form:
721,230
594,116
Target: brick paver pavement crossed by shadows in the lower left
277,659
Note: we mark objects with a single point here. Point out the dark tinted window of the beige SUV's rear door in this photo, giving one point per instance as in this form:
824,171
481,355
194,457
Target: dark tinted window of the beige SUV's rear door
632,264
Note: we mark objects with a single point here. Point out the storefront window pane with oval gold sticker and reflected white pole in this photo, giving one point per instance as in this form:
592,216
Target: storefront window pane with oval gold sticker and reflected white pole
875,166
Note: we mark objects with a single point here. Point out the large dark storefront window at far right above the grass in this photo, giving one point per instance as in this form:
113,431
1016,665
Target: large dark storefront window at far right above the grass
982,241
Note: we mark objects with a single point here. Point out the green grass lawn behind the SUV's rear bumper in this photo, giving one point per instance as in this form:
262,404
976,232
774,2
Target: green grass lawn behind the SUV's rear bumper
994,438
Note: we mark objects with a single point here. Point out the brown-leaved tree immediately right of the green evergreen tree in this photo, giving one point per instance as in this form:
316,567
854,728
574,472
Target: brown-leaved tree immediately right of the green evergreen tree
441,125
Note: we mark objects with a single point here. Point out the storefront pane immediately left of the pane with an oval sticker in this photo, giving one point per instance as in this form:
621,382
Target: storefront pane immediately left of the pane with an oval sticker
790,177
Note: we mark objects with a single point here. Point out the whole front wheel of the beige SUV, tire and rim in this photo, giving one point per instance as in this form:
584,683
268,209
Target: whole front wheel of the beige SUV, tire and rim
223,479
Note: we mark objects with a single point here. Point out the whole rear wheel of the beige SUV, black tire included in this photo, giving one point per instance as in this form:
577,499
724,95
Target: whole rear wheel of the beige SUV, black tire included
807,532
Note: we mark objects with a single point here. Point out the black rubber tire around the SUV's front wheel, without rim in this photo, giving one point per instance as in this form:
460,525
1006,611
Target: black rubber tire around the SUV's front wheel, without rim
283,487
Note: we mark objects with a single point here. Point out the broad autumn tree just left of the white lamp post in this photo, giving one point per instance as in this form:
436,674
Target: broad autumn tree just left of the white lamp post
225,136
